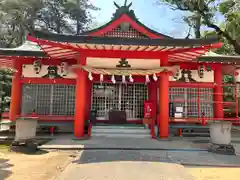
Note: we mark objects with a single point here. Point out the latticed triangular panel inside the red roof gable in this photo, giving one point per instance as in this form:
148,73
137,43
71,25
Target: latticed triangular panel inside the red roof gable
123,32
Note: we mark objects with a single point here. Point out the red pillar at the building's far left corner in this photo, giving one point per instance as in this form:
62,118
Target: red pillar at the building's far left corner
16,93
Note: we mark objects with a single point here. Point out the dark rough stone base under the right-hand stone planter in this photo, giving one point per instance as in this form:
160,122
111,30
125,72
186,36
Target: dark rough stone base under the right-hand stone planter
222,149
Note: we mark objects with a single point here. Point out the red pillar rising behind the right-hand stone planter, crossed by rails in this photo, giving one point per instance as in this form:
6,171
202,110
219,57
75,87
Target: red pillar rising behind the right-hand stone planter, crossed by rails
218,93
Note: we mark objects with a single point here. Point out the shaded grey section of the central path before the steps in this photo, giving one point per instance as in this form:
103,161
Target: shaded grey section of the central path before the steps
98,156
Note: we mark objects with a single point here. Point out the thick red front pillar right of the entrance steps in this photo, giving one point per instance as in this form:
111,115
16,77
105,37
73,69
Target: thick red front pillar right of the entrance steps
164,104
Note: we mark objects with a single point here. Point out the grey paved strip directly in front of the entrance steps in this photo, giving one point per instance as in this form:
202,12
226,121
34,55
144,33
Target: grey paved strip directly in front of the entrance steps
67,142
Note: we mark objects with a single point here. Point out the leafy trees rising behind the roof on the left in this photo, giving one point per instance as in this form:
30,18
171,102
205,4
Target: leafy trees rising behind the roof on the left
17,17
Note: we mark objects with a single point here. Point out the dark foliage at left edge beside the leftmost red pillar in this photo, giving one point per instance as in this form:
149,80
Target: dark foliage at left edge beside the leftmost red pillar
5,89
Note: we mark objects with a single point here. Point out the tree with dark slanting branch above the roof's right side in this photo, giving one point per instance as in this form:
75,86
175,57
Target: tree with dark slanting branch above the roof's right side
206,9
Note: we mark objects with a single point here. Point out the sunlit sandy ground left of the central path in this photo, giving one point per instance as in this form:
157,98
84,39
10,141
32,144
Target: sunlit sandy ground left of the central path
46,166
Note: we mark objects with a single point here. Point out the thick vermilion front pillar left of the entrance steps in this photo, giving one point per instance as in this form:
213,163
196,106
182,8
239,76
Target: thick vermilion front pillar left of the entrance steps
80,102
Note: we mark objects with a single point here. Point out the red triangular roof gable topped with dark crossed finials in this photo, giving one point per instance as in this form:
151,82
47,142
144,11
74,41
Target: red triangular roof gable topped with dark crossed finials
124,24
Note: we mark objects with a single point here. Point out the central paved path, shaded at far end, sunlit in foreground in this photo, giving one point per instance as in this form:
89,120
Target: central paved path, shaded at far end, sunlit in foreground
119,165
